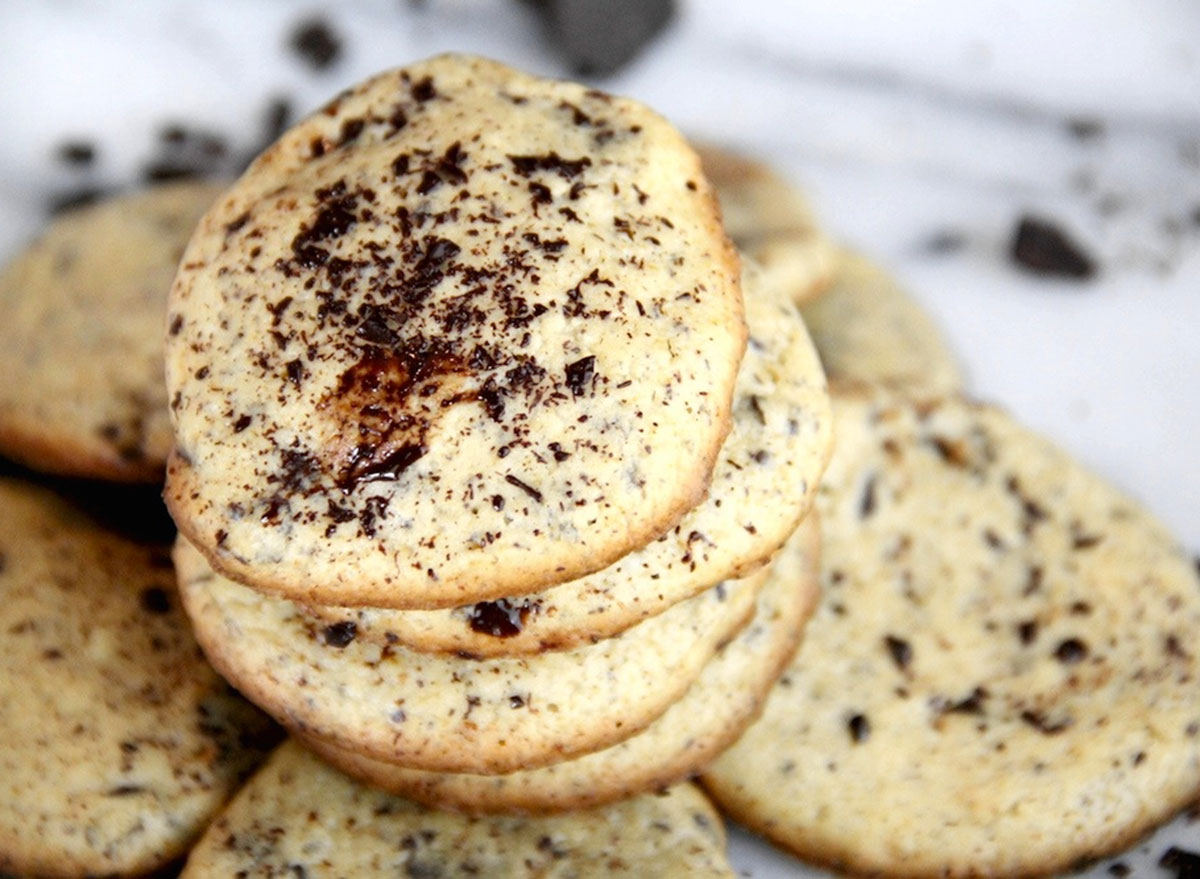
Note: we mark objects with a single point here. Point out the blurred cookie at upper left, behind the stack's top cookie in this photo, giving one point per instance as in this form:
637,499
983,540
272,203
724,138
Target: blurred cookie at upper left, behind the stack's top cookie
81,370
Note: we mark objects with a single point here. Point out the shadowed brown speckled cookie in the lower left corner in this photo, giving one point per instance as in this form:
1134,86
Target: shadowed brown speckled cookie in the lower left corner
119,743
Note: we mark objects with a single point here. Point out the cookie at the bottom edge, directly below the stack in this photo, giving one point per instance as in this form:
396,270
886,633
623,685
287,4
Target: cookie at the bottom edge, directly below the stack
301,818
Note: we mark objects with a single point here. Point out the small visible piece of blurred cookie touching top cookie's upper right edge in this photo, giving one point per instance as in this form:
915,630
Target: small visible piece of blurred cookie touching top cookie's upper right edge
771,223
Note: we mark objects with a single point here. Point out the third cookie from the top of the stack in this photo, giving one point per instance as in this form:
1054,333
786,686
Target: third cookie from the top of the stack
448,714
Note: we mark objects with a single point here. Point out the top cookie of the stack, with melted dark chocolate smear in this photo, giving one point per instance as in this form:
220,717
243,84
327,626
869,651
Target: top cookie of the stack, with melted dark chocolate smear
463,334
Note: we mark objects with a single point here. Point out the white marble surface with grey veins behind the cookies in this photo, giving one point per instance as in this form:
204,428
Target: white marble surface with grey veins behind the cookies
904,123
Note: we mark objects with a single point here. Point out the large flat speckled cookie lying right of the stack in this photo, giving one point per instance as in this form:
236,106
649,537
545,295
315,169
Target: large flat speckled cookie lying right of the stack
1000,678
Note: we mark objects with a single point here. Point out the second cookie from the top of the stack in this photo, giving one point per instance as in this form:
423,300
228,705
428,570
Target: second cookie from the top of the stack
764,485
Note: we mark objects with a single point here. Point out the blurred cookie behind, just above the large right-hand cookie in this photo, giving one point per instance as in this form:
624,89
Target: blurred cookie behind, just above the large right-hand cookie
867,328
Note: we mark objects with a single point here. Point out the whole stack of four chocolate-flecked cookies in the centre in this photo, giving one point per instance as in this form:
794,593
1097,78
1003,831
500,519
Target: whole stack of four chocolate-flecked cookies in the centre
478,476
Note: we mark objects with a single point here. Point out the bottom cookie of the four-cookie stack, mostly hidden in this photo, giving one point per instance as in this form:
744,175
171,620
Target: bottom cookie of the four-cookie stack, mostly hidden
709,719
